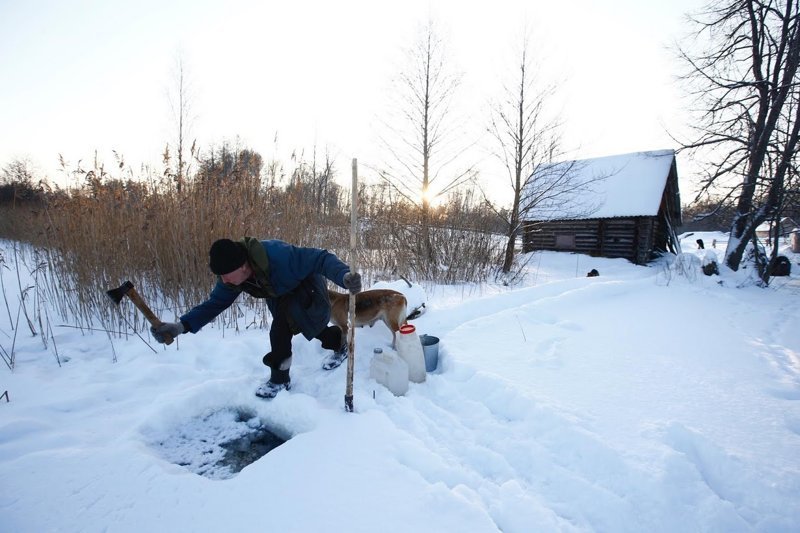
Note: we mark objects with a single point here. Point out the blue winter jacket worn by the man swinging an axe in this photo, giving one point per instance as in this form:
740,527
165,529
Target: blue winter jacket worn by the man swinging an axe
296,278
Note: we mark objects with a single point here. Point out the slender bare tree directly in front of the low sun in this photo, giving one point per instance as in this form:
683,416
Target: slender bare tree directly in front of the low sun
424,141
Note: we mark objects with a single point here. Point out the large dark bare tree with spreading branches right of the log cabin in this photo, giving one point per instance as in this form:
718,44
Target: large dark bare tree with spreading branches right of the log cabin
743,75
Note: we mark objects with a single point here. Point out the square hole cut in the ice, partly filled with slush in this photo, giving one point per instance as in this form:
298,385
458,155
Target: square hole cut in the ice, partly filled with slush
219,443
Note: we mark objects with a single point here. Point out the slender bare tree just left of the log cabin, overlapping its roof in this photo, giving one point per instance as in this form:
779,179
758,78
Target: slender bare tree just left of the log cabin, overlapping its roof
526,136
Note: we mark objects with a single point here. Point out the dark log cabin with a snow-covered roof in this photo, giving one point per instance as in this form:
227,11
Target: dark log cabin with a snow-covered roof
617,206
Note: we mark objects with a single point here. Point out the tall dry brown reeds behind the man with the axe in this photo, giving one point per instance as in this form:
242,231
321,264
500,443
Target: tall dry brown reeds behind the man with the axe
106,230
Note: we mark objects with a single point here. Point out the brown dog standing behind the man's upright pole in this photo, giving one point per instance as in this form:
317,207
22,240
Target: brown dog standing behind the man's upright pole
373,305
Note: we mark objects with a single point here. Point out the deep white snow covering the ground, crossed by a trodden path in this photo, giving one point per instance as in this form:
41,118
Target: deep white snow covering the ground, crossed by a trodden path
639,400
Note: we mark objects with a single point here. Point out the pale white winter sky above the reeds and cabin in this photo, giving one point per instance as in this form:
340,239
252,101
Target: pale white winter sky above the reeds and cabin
79,76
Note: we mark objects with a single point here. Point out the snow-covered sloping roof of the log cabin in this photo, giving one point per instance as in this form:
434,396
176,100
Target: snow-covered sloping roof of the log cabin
605,187
